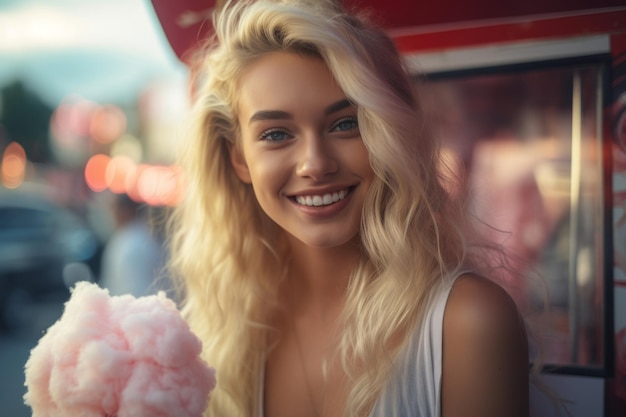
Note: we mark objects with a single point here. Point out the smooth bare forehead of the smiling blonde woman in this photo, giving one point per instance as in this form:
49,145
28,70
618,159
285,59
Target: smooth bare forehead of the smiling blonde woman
286,81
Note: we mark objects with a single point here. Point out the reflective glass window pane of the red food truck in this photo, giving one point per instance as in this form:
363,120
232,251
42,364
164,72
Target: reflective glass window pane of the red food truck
529,144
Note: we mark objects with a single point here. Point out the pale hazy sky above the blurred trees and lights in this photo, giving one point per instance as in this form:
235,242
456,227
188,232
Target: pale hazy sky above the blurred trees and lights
102,50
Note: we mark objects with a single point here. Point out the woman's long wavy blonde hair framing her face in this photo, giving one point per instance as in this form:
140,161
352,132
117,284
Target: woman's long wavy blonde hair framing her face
230,257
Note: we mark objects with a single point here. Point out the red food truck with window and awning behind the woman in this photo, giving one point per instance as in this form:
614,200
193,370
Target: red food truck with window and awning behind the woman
530,101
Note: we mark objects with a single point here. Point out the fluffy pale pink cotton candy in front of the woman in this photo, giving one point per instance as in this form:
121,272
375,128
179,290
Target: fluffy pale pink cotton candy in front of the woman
118,356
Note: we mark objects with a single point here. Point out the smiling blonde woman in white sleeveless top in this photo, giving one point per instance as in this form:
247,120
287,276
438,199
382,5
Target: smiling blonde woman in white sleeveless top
326,267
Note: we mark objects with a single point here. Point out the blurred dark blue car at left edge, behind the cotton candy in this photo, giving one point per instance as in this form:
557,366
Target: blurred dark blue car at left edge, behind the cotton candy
38,242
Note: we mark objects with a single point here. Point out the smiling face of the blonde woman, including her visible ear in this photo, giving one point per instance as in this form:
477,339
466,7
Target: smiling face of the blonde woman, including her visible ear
301,149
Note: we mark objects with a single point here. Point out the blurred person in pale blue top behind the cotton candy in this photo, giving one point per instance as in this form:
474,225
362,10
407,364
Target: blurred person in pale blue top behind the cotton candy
134,257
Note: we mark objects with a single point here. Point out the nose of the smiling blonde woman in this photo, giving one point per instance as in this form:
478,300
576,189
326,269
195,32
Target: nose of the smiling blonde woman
316,157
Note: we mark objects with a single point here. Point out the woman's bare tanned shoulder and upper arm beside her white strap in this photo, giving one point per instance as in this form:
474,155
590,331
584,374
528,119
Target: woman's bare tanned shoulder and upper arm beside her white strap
485,352
